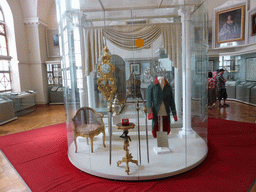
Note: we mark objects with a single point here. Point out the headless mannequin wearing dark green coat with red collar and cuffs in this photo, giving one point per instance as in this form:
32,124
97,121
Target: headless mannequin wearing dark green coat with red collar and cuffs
159,102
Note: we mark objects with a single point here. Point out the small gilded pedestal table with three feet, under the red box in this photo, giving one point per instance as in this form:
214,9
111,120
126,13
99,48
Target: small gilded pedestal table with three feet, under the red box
128,156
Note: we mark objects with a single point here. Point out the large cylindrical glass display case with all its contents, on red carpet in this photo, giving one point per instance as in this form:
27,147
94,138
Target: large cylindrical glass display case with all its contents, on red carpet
114,56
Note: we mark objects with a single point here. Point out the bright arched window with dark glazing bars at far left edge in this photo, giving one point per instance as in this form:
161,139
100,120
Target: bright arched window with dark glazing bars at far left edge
5,78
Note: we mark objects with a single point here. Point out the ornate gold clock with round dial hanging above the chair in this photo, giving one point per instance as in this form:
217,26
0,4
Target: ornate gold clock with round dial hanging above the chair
106,82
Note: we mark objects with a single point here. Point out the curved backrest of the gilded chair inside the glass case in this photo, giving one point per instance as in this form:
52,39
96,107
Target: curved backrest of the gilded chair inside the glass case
87,115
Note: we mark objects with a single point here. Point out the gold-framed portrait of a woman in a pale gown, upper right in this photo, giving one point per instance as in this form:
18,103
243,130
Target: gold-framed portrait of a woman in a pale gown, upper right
230,24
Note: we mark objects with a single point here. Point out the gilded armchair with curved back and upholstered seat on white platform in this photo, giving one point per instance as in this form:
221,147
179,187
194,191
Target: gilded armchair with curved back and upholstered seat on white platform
88,123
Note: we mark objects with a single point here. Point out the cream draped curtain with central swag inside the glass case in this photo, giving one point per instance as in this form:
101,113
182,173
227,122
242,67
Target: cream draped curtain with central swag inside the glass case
125,37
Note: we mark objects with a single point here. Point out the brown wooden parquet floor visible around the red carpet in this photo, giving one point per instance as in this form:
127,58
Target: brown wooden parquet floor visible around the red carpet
46,115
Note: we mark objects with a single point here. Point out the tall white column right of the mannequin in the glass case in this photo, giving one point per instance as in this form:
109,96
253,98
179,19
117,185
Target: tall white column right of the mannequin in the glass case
185,13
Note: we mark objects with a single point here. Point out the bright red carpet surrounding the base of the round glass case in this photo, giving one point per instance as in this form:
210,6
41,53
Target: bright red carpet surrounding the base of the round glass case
40,157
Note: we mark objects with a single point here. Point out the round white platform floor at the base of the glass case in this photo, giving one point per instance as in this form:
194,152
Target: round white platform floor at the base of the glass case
185,154
